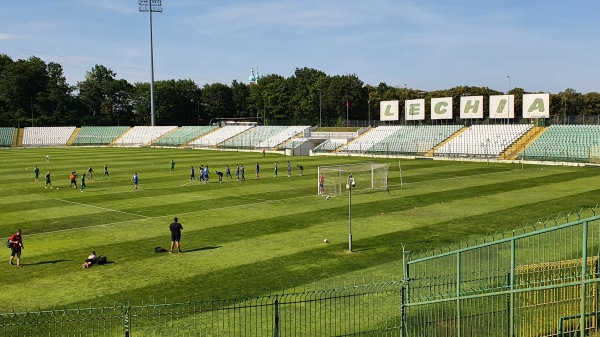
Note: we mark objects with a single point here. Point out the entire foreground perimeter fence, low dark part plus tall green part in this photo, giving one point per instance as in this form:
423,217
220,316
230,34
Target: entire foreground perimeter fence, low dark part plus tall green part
538,280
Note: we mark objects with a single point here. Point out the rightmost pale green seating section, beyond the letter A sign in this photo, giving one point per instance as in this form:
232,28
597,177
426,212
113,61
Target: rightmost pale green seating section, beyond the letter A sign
565,143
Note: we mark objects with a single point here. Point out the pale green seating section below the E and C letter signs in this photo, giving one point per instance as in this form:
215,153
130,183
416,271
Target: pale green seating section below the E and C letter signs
414,140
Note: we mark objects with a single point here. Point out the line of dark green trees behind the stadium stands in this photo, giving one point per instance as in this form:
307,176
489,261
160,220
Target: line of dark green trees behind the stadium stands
33,92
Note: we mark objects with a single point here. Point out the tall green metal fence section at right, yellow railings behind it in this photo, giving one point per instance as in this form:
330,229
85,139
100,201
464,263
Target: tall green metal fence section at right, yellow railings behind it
527,282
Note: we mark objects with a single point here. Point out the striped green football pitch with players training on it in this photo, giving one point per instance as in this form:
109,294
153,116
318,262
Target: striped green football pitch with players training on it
251,237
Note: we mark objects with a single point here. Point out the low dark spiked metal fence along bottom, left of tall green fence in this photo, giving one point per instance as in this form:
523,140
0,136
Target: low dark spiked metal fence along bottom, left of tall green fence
364,310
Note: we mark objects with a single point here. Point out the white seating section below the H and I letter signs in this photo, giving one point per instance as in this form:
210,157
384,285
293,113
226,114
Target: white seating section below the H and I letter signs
483,140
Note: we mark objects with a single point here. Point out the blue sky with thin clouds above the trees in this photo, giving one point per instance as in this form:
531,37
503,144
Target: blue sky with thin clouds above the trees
540,46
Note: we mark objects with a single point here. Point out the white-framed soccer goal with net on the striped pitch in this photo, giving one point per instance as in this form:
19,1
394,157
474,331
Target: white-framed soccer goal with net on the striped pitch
367,176
